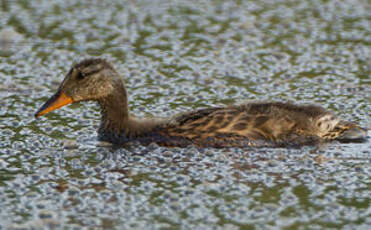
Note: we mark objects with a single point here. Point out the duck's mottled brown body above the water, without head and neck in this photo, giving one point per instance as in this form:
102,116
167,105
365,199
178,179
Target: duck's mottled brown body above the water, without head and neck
256,124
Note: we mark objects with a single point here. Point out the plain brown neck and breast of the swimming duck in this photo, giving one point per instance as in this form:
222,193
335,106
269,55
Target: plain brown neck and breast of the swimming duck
117,123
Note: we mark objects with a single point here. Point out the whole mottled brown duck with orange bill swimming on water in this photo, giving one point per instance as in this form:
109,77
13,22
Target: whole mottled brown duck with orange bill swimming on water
259,124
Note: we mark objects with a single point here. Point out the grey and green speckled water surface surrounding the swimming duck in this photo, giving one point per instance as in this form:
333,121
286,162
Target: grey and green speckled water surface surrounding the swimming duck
176,56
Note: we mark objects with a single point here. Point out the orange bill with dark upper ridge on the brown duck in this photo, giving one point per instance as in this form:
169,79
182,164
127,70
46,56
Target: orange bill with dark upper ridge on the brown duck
56,101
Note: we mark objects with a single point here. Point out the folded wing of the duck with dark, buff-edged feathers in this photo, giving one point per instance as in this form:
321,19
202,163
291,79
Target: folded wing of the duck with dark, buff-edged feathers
259,125
